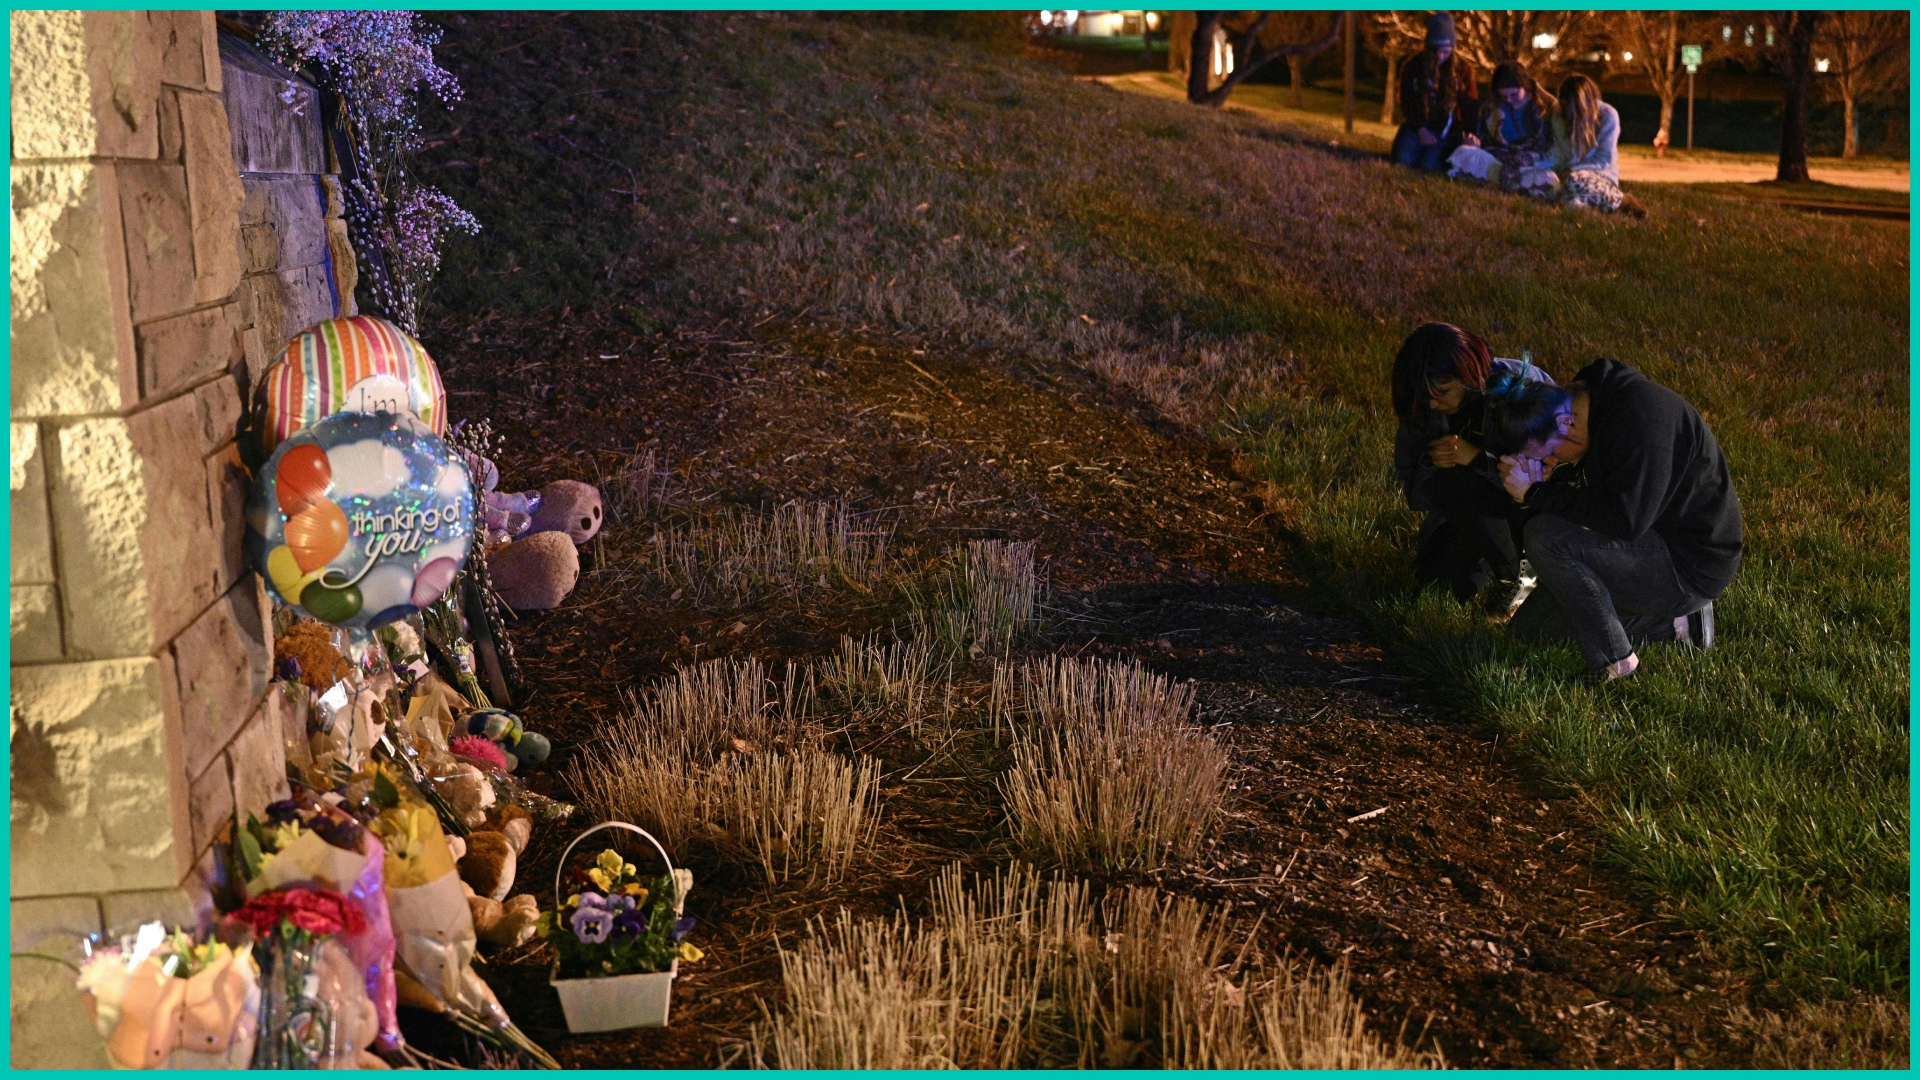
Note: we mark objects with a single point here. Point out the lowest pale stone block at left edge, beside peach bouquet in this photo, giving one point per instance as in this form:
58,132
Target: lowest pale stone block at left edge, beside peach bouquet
51,1027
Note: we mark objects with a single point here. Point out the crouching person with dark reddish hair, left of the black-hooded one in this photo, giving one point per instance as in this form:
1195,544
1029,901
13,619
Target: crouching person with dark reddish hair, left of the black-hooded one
1441,376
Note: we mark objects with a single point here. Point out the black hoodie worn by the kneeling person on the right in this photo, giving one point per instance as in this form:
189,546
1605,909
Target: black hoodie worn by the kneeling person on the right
1652,466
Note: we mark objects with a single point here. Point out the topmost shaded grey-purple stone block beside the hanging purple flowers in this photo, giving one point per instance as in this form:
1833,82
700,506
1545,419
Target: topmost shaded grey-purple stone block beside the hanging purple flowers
276,116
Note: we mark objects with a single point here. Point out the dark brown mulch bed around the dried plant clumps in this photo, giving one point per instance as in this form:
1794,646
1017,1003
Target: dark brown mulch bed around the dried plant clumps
1364,825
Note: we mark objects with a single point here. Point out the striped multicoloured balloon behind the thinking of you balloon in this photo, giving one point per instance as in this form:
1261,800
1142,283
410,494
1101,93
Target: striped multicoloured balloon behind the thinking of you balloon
324,362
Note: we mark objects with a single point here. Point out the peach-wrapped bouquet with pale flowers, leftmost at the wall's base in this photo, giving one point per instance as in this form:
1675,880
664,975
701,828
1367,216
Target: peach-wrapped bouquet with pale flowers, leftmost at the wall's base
170,1002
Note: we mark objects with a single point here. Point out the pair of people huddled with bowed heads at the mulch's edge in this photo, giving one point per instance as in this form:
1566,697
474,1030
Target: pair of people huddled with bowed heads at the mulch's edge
1612,491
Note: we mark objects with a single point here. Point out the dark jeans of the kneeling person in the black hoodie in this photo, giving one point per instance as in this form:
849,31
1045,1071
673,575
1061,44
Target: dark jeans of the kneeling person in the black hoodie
1602,593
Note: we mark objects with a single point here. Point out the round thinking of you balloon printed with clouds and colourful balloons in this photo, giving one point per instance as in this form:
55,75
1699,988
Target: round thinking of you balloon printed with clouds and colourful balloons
362,520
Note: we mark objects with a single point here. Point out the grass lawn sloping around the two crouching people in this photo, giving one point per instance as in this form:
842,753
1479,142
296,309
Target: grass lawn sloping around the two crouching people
675,170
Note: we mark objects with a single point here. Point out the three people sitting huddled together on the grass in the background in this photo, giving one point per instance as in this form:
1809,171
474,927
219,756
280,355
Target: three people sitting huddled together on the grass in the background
1522,139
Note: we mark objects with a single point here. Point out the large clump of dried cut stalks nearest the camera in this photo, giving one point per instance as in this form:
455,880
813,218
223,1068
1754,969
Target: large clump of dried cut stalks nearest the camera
1019,973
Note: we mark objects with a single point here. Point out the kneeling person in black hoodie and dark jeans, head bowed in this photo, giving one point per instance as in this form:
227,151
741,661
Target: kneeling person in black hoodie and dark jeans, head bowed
1631,522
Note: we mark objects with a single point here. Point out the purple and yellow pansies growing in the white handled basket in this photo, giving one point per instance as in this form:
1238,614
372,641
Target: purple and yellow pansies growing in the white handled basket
619,923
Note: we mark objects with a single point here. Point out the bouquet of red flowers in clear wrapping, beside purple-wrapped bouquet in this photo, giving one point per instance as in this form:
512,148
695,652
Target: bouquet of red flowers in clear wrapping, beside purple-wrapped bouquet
316,1012
